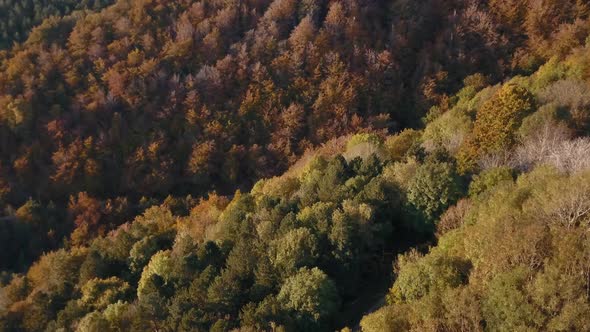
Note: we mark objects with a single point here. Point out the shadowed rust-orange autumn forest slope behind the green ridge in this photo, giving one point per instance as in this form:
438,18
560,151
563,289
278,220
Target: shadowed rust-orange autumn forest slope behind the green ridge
114,110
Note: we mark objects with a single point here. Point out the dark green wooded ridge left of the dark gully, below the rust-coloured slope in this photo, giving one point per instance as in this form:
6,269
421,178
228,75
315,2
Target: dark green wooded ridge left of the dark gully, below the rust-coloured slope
286,255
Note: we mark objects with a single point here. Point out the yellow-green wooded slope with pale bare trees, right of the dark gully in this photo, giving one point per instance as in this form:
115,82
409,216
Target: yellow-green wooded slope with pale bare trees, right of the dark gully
512,255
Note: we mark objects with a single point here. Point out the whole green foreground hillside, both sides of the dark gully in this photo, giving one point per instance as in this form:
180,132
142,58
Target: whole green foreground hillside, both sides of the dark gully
506,217
